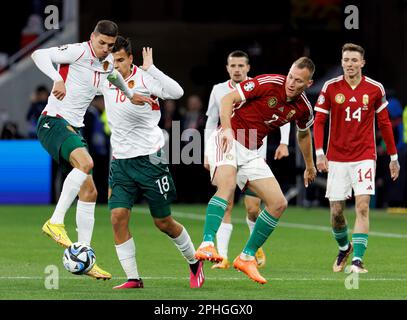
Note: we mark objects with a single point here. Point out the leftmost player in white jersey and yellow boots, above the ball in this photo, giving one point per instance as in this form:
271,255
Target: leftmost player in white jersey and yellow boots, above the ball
82,68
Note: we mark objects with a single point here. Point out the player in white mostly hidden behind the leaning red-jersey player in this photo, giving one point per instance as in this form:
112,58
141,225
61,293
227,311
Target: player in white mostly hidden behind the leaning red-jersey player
238,67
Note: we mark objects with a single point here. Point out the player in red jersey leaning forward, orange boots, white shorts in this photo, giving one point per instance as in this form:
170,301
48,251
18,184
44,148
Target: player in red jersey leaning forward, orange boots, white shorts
258,107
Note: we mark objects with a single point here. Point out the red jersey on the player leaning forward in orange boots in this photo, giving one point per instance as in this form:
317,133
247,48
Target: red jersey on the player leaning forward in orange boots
265,108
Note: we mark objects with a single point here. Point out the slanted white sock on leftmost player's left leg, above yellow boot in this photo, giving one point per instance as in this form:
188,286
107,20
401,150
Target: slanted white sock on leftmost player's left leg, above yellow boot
70,190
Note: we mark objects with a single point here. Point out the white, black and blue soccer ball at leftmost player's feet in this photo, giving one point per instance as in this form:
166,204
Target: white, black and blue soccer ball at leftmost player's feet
78,258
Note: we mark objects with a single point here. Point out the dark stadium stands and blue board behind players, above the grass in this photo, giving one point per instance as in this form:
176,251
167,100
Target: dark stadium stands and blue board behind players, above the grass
191,41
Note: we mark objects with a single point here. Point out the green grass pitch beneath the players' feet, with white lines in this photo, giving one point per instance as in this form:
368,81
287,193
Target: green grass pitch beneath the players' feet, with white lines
300,254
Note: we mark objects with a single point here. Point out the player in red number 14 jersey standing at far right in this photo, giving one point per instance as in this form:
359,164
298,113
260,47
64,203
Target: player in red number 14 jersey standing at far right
352,101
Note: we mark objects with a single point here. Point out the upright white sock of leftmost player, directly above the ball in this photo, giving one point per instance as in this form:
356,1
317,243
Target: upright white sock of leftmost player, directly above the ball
85,219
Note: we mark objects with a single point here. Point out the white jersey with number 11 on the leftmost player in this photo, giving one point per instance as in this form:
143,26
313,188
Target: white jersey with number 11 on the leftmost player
83,74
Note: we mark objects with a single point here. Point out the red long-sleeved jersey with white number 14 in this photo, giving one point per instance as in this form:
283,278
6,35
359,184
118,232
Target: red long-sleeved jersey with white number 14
352,119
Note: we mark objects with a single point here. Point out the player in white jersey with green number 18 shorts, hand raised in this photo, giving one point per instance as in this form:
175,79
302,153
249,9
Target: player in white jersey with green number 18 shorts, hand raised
138,168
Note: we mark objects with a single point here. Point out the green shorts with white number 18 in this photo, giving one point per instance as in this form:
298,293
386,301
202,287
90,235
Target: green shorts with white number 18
131,179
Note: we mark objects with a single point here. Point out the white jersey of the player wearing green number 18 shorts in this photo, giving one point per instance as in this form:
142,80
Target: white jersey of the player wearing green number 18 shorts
135,130
